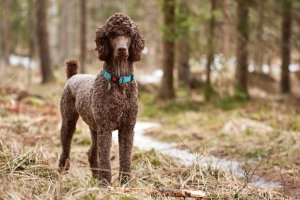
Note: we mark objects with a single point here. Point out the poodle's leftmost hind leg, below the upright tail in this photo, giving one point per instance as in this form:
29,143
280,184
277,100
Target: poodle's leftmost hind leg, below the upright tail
69,120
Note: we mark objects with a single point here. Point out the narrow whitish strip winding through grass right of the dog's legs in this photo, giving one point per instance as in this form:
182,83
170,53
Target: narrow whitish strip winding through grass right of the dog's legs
146,143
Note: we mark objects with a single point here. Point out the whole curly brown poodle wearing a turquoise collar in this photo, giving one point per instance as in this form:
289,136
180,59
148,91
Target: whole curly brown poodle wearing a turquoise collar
106,102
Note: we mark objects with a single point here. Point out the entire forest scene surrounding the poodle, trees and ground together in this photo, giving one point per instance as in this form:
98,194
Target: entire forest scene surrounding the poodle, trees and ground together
218,99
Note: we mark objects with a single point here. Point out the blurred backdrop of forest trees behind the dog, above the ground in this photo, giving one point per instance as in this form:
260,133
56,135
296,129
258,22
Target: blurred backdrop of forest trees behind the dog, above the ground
200,54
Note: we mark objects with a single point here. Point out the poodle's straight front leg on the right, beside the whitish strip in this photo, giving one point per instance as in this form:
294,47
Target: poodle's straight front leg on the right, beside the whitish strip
125,151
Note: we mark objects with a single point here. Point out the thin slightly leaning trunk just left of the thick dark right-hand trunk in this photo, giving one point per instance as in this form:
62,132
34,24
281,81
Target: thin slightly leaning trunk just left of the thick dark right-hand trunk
211,49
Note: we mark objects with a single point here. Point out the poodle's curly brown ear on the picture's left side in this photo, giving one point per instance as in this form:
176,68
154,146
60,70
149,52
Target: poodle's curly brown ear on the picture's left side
102,44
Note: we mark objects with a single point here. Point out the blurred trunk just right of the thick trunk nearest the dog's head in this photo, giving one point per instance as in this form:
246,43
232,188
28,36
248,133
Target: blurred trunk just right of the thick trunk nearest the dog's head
183,47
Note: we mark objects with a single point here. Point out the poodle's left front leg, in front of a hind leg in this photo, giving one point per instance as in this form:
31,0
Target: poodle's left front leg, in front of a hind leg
104,146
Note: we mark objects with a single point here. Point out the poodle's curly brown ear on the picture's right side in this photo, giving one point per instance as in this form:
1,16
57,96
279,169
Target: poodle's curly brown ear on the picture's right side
137,45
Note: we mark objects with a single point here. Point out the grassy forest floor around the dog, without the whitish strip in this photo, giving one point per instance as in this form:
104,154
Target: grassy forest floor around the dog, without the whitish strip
30,146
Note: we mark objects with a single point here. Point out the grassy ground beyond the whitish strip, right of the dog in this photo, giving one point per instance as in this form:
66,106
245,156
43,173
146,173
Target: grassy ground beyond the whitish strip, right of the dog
200,129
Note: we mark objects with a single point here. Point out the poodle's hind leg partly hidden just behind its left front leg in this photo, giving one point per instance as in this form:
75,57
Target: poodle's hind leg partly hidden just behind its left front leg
93,157
